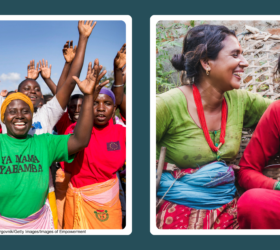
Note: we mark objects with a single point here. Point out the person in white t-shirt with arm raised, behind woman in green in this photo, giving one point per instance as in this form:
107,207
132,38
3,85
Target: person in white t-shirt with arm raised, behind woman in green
45,118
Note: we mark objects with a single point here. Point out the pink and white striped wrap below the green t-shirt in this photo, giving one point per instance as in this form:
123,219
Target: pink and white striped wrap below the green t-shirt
39,220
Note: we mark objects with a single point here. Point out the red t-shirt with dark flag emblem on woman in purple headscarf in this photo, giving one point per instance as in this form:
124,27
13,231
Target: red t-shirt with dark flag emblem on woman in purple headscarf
102,158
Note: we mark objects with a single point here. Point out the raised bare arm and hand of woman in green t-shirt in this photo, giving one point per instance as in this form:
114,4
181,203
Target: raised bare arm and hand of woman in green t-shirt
90,88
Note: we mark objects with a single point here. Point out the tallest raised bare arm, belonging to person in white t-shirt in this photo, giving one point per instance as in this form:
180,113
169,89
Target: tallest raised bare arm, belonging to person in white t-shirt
67,88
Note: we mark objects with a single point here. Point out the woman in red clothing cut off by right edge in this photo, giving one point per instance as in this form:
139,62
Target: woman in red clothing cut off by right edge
258,208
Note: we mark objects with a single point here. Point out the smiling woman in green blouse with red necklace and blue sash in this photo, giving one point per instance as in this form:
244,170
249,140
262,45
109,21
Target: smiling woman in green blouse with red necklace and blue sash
201,124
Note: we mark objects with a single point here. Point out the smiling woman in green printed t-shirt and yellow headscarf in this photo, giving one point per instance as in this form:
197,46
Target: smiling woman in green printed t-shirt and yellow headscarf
24,175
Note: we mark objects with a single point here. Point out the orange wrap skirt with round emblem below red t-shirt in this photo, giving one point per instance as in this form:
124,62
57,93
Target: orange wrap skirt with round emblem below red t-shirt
96,206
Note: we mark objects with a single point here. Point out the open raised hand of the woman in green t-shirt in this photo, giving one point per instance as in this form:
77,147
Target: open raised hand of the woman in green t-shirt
91,86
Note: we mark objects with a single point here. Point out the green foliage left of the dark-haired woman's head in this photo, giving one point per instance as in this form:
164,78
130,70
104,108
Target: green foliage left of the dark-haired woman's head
166,37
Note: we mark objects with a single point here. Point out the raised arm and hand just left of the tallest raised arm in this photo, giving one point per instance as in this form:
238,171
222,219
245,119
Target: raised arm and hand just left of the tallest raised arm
69,54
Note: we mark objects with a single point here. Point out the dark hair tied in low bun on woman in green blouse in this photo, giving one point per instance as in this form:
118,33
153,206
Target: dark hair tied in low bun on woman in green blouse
200,42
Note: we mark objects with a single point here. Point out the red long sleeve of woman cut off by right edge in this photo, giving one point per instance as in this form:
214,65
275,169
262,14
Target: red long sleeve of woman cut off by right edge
263,145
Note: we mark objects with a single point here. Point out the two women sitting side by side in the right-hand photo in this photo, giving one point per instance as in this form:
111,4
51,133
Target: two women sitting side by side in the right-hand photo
200,124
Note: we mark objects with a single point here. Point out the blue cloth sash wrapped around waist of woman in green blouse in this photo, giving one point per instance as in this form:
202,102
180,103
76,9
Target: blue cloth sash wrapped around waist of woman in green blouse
208,188
